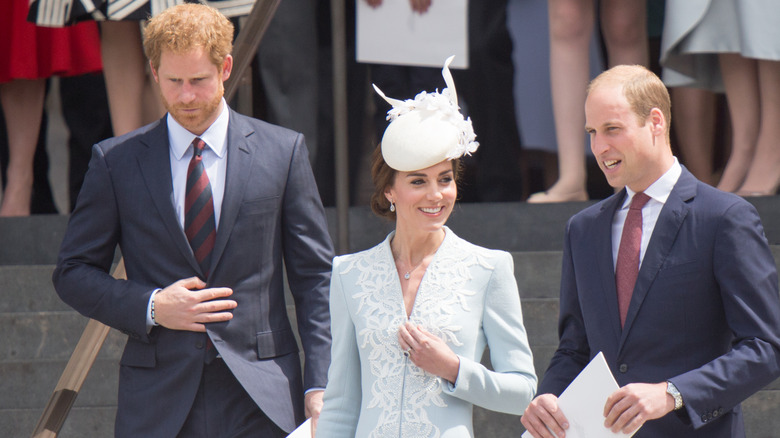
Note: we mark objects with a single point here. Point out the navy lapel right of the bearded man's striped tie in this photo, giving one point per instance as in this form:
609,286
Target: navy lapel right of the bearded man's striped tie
239,167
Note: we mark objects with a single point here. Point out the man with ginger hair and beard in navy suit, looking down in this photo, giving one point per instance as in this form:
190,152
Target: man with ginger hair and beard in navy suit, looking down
206,205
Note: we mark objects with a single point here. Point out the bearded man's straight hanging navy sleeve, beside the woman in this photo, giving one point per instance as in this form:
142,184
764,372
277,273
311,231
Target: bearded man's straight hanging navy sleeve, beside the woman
308,252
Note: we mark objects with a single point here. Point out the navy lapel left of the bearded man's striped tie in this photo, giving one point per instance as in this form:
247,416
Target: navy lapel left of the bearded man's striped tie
155,166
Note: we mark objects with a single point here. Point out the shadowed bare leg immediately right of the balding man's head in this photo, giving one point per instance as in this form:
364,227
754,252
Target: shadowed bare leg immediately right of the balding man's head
694,129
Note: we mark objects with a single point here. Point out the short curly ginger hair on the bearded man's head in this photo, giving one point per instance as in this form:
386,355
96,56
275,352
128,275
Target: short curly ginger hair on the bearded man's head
185,27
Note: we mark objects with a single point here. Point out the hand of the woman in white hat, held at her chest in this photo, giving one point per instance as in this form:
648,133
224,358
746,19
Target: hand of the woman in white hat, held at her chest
429,352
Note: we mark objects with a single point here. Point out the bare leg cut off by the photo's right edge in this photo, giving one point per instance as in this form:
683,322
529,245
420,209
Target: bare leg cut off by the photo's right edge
763,176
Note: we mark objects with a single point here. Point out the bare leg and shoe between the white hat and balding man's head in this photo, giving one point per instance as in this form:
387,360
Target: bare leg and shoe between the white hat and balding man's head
571,25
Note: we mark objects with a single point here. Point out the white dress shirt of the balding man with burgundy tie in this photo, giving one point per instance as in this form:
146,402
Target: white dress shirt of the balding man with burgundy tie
658,192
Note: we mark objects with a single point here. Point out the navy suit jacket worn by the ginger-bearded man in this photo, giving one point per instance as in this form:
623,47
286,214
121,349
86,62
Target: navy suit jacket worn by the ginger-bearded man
271,213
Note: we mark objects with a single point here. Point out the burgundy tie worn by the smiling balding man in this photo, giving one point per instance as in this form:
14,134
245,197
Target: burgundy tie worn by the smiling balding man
627,267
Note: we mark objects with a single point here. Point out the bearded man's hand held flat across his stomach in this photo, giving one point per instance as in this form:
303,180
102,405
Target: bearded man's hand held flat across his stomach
185,305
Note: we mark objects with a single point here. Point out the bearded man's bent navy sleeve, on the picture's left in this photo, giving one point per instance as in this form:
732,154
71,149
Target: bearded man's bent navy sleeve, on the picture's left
81,277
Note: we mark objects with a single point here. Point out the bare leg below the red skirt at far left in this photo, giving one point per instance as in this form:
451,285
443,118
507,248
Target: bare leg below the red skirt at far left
22,102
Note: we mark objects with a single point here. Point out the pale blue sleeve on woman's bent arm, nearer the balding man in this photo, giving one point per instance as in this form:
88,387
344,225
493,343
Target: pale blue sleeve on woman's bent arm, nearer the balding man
511,386
